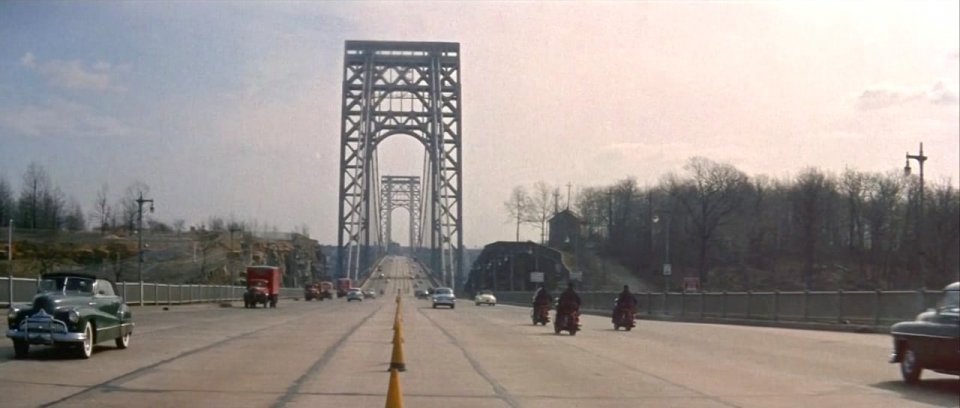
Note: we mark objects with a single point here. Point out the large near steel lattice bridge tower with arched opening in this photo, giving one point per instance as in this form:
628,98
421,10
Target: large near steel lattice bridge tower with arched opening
401,88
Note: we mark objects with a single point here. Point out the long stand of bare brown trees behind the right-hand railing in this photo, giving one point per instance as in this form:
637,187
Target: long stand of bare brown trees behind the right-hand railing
815,231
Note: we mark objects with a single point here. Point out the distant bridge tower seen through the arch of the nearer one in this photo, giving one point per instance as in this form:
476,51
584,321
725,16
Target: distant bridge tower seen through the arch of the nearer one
401,192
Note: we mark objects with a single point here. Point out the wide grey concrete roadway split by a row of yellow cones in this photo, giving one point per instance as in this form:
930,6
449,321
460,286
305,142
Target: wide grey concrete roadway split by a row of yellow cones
335,353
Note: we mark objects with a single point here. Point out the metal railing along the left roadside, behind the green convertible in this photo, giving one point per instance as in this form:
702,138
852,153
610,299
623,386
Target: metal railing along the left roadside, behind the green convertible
24,289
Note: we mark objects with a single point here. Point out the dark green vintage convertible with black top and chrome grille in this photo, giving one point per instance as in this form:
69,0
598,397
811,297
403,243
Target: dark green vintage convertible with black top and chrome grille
72,310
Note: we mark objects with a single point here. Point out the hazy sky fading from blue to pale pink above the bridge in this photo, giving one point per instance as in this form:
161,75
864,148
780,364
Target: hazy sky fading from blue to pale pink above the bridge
234,108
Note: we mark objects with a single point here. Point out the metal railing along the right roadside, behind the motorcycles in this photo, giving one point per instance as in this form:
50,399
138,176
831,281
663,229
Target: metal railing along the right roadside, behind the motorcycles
872,308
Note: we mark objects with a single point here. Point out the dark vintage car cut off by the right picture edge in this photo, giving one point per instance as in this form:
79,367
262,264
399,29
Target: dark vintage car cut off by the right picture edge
931,341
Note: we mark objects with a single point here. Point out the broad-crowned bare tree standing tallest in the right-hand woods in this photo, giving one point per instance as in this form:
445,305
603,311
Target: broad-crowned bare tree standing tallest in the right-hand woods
709,196
